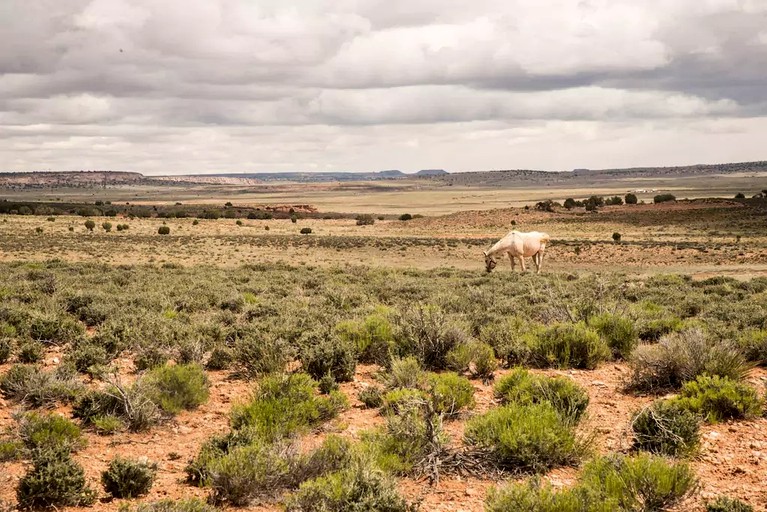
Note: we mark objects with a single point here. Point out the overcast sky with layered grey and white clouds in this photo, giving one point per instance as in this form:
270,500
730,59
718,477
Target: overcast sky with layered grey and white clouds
181,86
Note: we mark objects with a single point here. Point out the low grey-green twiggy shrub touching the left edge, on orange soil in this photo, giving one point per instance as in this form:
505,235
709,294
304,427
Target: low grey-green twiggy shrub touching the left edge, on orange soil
34,387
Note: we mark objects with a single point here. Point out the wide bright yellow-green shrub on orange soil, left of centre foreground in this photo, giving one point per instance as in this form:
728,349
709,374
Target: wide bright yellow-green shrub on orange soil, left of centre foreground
286,405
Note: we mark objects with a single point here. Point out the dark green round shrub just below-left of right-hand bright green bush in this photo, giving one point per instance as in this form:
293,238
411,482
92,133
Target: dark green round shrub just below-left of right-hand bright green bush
666,428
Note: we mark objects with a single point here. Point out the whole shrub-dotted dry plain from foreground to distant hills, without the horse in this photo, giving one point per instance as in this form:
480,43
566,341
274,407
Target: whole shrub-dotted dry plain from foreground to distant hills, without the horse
680,298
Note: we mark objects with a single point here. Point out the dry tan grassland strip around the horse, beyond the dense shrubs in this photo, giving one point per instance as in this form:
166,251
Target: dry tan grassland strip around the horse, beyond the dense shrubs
700,236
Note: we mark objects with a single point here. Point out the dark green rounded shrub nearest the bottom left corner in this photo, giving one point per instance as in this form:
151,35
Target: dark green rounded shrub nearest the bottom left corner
54,480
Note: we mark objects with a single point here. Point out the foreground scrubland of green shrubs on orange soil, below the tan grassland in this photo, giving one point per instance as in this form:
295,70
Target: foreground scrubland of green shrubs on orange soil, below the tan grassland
185,366
